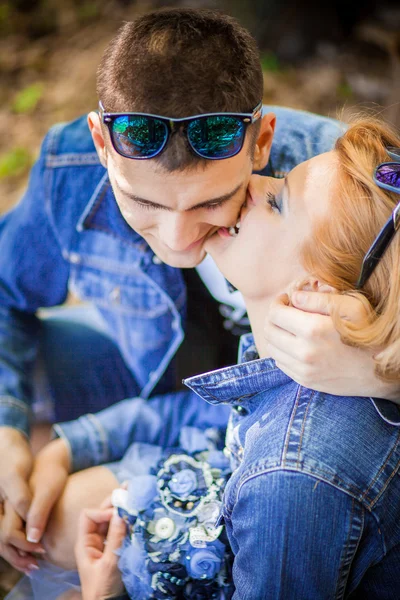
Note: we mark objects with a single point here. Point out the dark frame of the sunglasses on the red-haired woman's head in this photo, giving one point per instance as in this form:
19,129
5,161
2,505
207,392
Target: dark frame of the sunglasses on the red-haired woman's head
386,234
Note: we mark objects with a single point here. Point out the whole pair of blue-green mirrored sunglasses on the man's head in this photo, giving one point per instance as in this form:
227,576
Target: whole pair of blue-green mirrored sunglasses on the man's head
214,136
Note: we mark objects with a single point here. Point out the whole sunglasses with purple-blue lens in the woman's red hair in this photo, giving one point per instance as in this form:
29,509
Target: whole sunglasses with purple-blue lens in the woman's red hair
387,177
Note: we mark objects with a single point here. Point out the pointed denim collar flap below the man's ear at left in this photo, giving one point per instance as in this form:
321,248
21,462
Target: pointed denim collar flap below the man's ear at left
102,214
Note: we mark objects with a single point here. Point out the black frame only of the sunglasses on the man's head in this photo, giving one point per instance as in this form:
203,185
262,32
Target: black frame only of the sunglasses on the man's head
246,118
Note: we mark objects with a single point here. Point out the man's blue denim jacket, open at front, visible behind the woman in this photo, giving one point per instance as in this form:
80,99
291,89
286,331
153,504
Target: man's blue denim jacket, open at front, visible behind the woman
67,234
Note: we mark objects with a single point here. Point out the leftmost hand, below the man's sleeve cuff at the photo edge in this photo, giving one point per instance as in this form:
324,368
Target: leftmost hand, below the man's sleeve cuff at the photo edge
15,467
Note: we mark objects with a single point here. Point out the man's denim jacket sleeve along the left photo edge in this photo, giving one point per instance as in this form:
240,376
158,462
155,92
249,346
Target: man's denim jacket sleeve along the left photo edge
33,273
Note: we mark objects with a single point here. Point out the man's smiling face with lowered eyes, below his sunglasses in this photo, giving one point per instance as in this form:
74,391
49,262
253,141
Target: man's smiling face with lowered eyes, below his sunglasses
177,212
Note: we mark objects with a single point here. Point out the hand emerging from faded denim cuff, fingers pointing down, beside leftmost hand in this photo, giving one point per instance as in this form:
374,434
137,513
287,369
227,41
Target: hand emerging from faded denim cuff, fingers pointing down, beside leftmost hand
47,482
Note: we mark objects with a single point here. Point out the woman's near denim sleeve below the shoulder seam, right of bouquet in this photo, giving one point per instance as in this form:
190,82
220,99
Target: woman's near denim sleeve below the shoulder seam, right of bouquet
293,537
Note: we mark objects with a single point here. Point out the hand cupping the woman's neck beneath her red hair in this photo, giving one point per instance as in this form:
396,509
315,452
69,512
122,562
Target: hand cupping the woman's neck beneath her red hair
306,346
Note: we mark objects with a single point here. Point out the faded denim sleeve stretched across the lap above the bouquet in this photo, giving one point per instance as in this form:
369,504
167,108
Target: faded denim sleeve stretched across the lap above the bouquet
103,437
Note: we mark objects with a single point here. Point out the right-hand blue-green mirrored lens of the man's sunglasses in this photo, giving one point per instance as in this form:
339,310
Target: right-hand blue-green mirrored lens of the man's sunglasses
216,137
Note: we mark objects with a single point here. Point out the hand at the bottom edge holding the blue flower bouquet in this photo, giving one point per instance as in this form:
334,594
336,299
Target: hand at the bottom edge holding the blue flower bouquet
95,554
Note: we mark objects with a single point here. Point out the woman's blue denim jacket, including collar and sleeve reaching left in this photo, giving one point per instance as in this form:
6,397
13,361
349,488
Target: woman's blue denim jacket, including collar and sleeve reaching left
312,509
